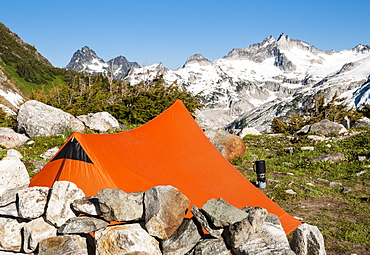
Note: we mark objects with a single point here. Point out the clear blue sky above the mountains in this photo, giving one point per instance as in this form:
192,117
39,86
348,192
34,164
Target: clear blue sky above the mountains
171,31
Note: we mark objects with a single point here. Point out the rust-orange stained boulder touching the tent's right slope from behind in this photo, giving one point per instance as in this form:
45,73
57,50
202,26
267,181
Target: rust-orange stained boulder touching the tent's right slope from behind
230,146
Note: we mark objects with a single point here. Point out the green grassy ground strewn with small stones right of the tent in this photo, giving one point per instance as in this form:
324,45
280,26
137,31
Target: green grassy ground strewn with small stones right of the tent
333,196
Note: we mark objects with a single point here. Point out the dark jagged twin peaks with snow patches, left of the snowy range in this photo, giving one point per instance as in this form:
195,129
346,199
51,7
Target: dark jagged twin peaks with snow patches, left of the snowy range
86,60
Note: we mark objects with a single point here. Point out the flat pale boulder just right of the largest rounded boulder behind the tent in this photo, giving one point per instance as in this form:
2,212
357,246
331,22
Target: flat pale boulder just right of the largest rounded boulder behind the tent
100,121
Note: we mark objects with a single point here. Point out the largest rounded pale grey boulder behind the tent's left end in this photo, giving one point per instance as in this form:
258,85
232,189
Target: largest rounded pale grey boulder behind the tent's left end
38,119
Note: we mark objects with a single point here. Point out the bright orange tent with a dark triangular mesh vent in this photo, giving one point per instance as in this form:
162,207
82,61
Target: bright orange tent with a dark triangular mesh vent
171,149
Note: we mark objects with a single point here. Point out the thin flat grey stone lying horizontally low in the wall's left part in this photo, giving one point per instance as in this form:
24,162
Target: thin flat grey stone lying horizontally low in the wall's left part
83,224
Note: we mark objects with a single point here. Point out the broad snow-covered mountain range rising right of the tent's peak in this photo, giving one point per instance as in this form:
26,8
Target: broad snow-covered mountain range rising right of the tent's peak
249,86
